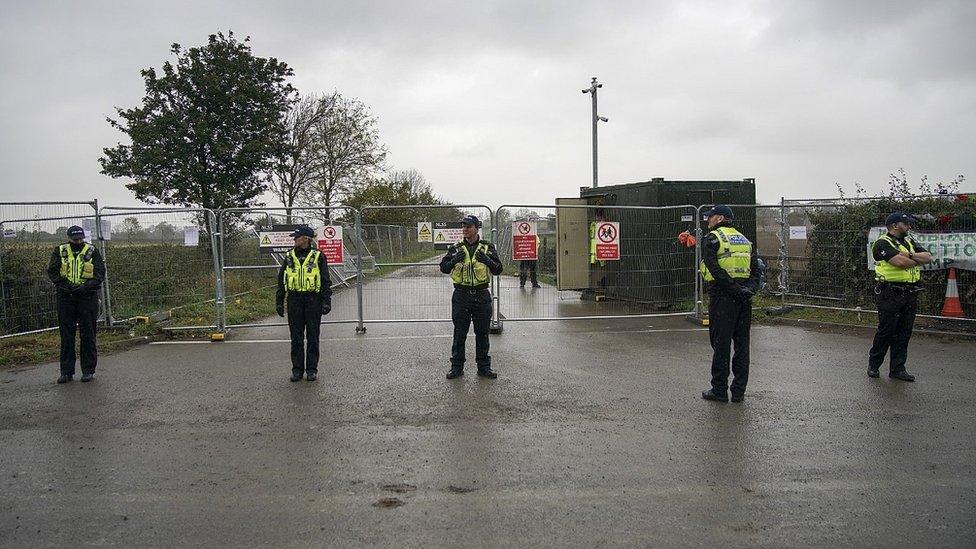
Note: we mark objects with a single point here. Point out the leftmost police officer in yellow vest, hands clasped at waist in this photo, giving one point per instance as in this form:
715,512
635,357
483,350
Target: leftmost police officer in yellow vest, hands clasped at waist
77,271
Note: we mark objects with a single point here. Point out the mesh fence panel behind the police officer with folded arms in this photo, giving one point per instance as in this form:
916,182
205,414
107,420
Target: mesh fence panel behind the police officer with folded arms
827,256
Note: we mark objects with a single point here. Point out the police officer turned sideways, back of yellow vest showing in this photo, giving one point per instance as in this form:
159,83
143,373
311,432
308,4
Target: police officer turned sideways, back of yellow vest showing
729,266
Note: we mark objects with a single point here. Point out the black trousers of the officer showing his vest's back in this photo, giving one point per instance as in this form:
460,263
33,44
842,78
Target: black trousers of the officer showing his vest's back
729,321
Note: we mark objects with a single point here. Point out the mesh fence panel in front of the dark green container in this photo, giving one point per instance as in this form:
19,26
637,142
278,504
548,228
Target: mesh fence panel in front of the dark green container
654,275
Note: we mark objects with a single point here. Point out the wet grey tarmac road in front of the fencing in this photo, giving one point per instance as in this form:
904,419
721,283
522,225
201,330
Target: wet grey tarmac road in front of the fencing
594,434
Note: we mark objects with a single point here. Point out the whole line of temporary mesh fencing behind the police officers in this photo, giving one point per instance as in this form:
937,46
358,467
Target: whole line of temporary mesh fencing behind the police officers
203,269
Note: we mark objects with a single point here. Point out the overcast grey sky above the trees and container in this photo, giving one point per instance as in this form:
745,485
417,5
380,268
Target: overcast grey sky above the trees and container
484,97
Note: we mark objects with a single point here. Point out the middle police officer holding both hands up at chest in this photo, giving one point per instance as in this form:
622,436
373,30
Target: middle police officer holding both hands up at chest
471,263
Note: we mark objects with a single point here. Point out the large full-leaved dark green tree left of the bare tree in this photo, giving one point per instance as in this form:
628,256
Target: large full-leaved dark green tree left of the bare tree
209,128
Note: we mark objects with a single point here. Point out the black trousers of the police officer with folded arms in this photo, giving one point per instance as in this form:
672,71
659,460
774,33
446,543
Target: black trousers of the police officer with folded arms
897,306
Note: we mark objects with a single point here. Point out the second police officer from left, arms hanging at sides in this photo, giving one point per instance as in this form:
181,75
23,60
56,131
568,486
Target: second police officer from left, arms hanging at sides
304,278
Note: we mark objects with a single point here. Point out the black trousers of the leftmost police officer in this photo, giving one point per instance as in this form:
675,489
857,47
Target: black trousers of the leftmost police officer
77,313
